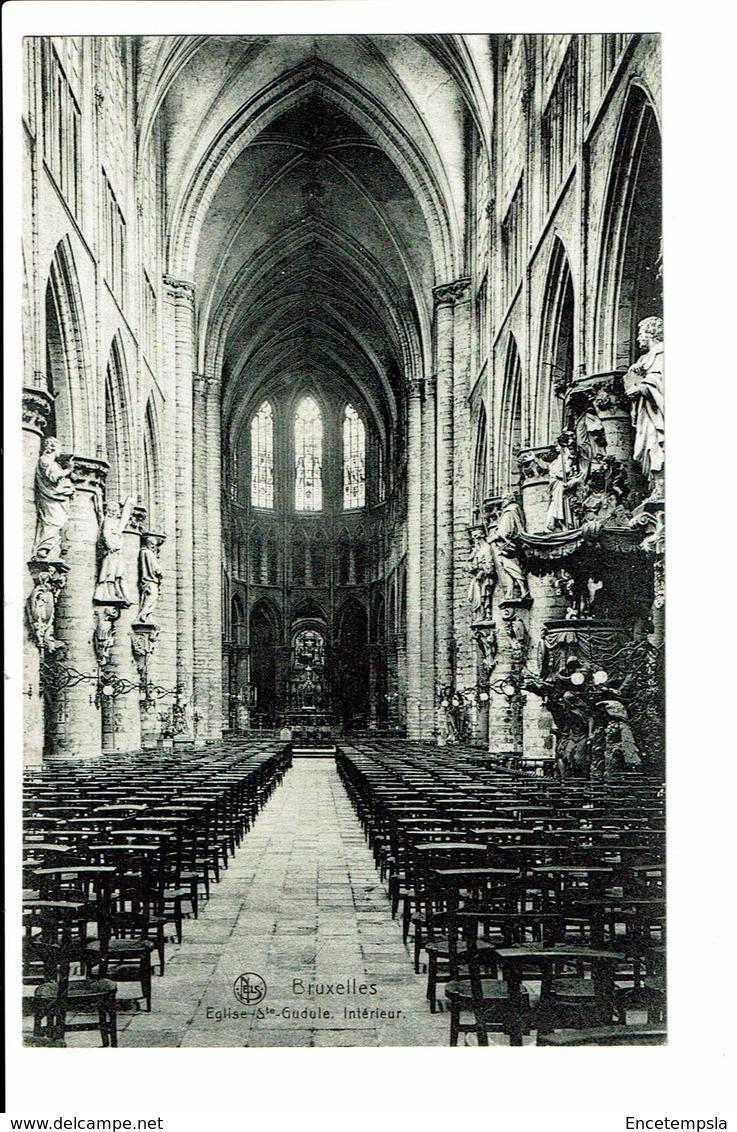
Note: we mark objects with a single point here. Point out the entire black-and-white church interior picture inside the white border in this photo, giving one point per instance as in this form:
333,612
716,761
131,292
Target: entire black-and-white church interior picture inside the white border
344,458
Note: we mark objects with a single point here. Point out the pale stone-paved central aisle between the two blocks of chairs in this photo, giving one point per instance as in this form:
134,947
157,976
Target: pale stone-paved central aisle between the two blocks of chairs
301,902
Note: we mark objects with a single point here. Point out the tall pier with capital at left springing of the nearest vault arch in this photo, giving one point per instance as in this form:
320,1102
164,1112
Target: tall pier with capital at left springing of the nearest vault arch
181,303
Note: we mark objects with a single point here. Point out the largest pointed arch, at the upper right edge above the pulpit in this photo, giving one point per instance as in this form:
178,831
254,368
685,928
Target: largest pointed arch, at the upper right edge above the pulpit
630,286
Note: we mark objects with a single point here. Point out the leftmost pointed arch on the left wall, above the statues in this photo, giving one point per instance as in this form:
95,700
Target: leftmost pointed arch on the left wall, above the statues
67,355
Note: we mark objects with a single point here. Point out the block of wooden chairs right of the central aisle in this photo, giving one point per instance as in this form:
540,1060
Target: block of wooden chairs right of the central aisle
508,880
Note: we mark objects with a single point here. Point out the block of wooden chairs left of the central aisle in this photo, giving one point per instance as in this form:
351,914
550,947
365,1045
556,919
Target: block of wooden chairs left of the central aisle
115,855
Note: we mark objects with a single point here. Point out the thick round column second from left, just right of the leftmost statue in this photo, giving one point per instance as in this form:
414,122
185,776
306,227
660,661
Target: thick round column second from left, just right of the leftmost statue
75,730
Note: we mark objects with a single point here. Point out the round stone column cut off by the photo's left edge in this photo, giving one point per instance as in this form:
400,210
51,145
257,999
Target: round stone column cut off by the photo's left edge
37,407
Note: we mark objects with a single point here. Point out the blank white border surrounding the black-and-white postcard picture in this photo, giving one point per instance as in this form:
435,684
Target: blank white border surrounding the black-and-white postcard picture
593,1091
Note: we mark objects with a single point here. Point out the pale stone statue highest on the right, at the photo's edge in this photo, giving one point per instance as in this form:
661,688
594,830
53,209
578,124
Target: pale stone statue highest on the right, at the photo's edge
645,385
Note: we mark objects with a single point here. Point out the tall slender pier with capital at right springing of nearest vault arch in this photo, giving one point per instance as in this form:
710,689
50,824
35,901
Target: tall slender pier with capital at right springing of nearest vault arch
444,301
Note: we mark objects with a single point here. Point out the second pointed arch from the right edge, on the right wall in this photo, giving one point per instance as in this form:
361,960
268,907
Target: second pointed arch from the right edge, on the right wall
556,359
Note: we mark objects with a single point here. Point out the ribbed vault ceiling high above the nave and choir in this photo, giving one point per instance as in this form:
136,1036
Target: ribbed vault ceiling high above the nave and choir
315,191
